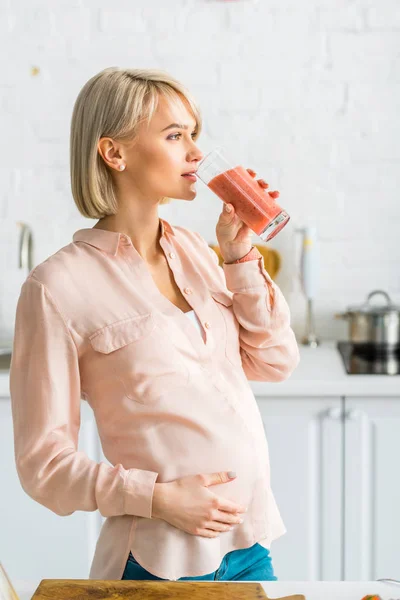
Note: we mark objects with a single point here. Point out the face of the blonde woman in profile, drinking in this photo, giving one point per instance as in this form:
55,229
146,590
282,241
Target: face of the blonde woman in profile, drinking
162,152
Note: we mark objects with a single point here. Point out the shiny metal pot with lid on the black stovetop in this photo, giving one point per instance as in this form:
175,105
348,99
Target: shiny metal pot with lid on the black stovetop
378,325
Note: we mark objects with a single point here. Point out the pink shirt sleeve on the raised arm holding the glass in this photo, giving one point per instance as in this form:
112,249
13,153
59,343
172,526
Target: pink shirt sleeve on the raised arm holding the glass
268,346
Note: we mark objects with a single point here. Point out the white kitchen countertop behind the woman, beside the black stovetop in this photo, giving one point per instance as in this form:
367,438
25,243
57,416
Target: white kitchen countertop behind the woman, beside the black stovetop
320,373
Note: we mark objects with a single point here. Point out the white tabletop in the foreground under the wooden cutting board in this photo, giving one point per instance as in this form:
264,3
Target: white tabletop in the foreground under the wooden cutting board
312,590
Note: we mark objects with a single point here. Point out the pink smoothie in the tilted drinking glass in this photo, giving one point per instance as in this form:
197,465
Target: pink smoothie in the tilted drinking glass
253,205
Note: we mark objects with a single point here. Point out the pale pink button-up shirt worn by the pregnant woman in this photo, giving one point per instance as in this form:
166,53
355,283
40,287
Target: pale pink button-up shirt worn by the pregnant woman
91,324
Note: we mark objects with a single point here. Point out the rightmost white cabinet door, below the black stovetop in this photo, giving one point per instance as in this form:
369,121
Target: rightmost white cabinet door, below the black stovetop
372,488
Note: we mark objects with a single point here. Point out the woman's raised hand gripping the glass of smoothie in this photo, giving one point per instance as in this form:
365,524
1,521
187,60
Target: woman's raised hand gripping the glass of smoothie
234,236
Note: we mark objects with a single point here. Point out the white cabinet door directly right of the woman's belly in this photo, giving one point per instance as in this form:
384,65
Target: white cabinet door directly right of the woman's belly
305,446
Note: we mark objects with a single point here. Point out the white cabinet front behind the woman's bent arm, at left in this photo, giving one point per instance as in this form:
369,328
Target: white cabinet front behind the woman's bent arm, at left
35,543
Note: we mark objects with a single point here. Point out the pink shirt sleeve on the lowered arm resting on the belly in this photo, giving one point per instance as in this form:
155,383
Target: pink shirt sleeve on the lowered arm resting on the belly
45,399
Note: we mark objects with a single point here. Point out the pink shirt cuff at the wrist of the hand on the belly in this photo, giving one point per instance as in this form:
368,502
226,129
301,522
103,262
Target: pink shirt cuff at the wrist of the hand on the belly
138,492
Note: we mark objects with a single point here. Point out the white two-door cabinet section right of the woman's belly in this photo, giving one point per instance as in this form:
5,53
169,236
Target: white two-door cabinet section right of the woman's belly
334,472
